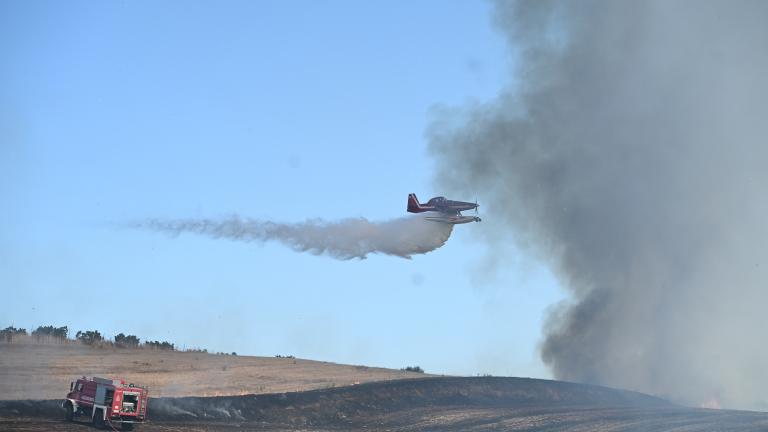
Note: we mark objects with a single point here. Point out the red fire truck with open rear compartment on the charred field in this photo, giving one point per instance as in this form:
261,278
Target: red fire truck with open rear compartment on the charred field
107,401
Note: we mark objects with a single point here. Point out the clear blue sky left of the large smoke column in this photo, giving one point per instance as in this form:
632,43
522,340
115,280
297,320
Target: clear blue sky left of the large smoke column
124,110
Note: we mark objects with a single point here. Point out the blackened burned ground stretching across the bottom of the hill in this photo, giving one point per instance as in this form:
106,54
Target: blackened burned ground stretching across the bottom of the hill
431,404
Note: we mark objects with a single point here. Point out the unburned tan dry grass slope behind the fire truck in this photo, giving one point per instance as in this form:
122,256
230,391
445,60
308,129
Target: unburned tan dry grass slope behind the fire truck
31,370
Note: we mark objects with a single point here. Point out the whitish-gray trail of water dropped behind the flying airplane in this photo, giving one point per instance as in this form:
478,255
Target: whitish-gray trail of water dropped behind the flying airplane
345,239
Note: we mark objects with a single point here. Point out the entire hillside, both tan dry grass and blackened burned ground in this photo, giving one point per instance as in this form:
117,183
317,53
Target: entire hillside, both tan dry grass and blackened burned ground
194,391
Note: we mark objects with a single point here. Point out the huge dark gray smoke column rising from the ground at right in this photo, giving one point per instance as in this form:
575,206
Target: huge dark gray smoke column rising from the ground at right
631,153
